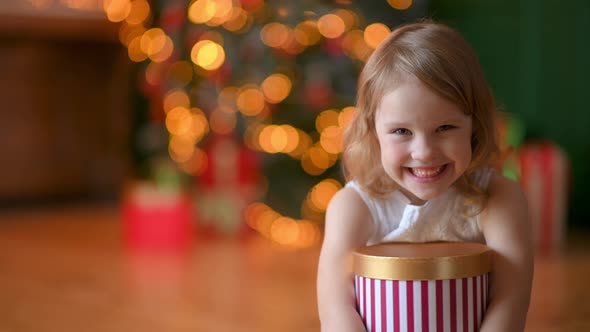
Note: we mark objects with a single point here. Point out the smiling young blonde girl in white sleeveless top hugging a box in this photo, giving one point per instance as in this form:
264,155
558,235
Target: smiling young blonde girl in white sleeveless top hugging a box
418,160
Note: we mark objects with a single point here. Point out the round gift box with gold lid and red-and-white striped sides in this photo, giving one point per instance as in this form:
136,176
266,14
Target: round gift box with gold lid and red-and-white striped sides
440,286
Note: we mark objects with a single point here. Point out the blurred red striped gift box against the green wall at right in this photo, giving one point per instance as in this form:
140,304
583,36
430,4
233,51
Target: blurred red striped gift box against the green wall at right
544,177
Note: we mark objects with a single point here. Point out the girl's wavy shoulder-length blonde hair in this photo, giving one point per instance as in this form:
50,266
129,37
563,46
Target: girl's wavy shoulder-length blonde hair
441,59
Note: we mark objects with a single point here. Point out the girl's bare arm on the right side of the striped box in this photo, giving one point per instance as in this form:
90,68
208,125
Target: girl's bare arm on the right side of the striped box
506,227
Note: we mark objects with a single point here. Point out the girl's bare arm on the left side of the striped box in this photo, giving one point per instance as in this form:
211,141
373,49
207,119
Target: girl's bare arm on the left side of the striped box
348,223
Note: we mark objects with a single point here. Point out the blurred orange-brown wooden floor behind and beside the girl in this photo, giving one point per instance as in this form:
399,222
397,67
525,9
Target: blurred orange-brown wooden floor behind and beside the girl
66,269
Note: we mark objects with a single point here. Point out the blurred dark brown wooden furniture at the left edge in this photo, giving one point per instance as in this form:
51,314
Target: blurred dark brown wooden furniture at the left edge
65,88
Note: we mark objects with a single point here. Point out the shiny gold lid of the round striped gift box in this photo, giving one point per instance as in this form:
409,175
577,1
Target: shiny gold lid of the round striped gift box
422,261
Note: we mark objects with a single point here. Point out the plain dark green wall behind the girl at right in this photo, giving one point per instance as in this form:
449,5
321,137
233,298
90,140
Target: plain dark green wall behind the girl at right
536,55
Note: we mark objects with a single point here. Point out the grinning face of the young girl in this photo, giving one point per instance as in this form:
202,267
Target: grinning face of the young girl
425,140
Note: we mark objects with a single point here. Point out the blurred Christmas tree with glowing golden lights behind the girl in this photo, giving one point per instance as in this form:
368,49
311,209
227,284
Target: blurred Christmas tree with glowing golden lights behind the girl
250,98
